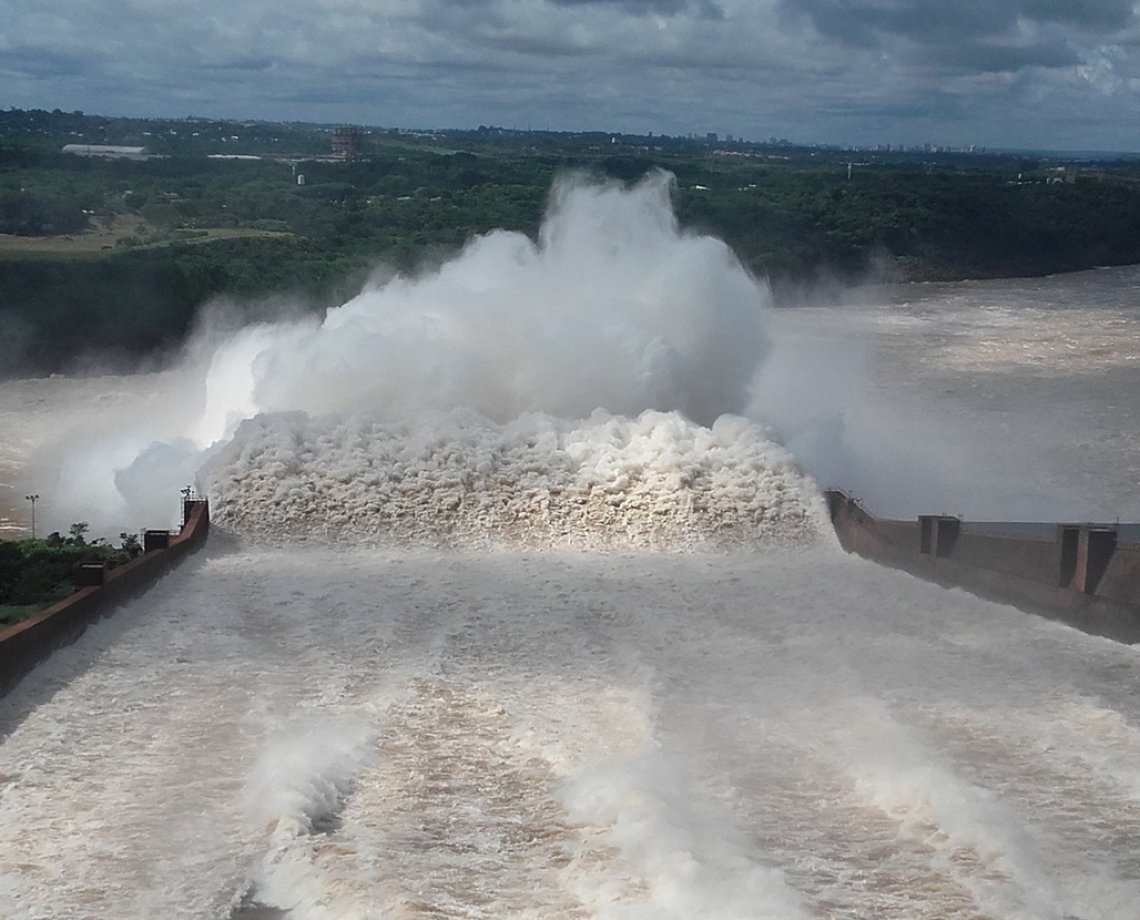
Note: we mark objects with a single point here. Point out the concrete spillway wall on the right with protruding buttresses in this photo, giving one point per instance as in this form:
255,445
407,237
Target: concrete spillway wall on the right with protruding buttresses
1086,575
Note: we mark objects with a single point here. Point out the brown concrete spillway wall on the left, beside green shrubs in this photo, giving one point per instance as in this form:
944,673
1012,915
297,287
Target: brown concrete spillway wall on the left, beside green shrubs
26,645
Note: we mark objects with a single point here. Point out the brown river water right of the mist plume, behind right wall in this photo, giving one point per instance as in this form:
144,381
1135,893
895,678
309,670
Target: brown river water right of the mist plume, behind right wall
997,401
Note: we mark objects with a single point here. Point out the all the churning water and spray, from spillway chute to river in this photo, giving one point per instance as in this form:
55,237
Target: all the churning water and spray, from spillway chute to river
474,649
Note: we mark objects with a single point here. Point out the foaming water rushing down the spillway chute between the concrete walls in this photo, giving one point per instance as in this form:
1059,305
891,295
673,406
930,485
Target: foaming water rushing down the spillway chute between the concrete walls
372,734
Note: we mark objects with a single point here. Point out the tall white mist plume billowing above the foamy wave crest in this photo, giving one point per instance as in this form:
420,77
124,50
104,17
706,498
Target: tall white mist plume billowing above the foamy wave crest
613,307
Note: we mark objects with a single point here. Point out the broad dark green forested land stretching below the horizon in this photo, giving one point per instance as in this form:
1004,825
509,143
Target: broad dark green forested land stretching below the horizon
142,245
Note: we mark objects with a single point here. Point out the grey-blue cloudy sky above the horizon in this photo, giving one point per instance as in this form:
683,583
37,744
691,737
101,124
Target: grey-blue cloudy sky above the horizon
1062,75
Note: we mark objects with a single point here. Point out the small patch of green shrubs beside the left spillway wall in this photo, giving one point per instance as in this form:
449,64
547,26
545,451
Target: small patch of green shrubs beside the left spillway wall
35,574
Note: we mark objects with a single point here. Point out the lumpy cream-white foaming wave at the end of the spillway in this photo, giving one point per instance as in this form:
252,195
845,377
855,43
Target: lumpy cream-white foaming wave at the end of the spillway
455,479
